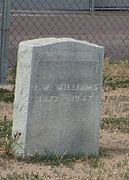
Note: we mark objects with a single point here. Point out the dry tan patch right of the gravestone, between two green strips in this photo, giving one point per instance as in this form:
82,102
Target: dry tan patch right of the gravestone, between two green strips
115,103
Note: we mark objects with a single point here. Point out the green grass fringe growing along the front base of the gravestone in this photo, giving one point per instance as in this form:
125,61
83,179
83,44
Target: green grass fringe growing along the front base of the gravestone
67,159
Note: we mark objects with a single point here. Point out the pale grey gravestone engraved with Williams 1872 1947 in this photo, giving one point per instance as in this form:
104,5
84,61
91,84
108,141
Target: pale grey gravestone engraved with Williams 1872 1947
57,97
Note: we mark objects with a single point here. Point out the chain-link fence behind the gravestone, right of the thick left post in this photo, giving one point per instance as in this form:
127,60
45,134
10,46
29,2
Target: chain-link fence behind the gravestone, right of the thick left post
103,22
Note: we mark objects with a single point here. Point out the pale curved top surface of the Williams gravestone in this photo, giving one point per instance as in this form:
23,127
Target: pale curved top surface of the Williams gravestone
50,41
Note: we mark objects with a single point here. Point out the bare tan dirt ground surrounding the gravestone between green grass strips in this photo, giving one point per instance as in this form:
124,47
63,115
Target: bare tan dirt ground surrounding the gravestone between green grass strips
112,164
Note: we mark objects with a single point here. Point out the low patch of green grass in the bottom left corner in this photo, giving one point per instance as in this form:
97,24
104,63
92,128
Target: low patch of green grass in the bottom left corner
27,176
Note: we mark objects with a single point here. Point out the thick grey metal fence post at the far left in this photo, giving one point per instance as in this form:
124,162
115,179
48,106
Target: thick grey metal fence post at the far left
4,41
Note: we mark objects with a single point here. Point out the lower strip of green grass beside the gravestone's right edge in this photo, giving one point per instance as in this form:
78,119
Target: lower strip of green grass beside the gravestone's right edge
121,124
